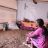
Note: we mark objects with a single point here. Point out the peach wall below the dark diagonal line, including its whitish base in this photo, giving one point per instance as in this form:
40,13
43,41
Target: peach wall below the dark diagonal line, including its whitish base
8,15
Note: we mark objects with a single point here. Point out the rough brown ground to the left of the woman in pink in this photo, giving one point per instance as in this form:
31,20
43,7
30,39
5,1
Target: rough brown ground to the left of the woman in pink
12,39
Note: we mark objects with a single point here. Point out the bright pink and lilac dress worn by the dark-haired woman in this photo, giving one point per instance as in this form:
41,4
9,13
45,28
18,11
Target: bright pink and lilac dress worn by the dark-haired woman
36,38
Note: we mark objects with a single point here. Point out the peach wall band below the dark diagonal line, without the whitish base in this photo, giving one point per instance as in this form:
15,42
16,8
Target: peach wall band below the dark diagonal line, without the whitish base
7,15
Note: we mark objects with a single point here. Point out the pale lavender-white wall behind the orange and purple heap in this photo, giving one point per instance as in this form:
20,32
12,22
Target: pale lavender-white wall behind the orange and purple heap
31,11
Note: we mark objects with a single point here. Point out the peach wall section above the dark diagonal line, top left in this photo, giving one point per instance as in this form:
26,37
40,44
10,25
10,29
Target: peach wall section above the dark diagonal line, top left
9,3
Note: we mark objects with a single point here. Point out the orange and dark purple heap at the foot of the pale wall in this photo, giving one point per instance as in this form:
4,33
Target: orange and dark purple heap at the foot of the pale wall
26,24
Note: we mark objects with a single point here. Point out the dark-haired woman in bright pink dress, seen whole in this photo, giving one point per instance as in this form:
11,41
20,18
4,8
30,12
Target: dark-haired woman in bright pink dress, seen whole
37,38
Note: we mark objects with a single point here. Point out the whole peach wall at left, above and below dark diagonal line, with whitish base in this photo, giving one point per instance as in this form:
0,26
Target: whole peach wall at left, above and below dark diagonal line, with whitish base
8,10
